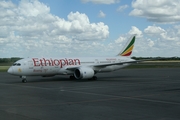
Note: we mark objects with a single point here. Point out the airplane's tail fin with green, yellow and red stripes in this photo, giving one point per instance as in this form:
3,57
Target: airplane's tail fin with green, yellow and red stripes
127,50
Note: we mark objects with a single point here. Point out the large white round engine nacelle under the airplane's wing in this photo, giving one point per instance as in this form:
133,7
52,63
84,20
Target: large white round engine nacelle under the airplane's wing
83,73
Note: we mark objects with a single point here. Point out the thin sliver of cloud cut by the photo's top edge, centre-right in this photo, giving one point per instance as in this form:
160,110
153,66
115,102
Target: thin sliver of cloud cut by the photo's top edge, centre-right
101,1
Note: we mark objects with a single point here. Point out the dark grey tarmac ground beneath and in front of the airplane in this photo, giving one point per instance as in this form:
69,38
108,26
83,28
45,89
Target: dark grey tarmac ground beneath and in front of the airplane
126,94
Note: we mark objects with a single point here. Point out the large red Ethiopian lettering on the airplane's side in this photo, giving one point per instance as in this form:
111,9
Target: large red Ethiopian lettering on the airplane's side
55,62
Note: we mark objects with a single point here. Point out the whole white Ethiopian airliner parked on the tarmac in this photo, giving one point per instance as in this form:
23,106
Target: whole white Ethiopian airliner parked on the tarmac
77,67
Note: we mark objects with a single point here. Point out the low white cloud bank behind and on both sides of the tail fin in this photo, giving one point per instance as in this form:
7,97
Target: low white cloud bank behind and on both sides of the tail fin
165,43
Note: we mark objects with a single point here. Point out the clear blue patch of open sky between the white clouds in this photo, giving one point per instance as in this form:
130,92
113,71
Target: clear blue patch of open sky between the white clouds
118,22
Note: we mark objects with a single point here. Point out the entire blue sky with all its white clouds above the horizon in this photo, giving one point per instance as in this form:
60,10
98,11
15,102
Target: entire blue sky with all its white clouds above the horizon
56,28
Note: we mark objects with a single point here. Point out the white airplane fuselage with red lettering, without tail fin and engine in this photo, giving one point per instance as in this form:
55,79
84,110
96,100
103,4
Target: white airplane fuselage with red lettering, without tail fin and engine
65,66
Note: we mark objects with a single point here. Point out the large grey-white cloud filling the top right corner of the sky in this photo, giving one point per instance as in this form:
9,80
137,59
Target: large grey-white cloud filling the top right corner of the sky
160,11
